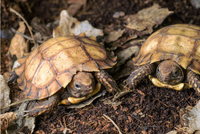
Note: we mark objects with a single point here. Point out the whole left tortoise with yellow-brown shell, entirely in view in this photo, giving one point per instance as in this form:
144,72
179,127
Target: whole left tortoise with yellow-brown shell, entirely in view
64,63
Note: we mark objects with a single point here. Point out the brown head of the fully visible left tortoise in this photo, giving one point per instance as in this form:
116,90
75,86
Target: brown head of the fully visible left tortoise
81,85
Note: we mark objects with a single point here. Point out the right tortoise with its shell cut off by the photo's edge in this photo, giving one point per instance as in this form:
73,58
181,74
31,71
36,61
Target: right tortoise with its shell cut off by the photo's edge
171,59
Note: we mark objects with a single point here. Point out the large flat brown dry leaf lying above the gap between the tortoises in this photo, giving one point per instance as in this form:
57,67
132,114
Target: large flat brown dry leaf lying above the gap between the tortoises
145,19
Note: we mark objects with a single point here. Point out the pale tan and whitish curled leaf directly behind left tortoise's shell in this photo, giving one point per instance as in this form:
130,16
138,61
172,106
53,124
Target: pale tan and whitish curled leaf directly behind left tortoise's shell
70,25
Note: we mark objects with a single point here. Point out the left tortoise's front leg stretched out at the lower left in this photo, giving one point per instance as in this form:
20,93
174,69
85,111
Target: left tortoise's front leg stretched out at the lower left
38,107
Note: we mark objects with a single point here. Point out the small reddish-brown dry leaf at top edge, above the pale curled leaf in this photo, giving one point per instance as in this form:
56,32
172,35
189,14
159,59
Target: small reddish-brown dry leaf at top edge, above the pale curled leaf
75,6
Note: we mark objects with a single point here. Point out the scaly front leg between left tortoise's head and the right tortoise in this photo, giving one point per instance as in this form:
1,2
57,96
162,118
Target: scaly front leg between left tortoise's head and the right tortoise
105,79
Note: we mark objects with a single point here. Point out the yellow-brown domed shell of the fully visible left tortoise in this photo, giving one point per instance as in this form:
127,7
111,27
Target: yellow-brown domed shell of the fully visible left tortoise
52,65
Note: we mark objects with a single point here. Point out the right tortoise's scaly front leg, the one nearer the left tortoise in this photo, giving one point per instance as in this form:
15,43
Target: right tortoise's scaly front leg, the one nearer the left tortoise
137,75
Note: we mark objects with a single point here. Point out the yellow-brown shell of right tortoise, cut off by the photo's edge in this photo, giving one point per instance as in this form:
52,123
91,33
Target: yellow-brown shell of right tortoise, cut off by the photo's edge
180,43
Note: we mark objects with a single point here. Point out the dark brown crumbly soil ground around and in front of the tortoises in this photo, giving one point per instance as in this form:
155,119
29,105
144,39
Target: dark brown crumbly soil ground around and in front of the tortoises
148,109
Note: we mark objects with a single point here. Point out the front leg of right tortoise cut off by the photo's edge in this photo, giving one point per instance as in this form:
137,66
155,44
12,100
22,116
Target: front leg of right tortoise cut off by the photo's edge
194,80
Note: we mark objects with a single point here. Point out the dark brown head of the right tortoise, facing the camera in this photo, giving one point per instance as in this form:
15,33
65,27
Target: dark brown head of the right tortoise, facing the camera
169,72
